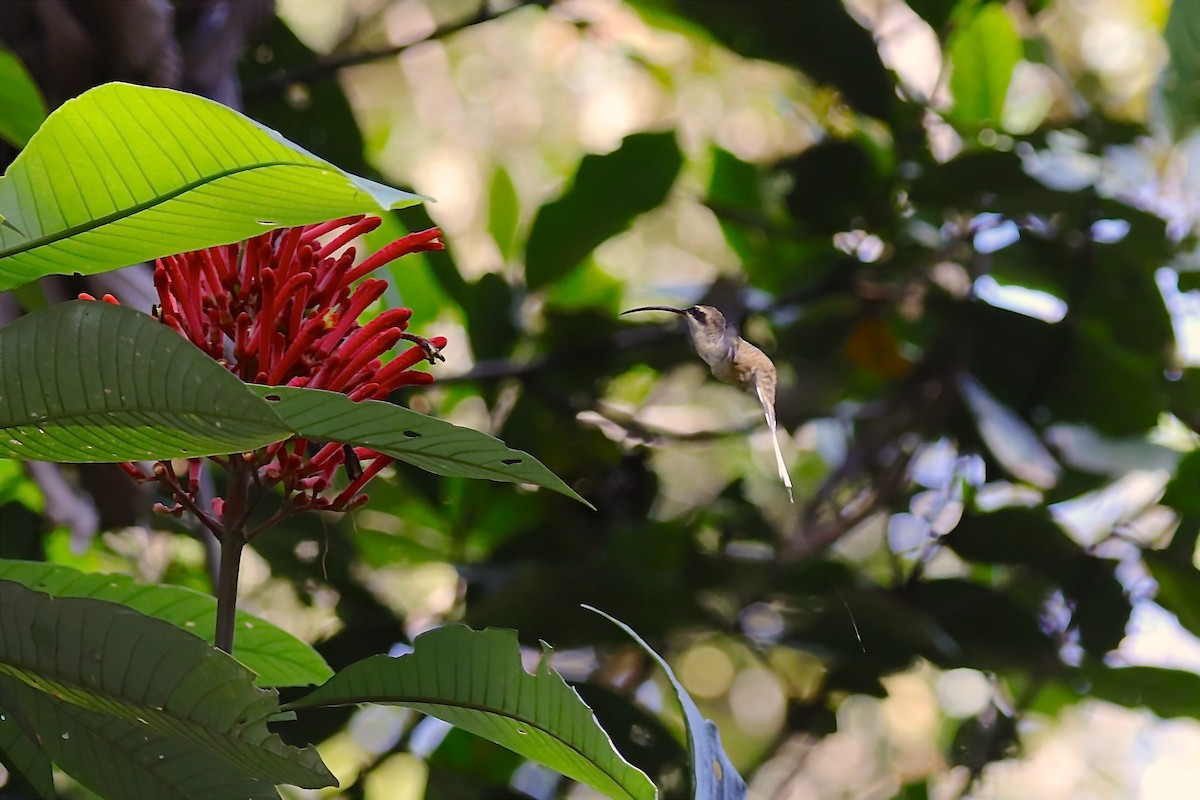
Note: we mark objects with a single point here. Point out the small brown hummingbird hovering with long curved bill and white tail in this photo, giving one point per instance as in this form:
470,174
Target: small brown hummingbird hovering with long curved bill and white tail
734,362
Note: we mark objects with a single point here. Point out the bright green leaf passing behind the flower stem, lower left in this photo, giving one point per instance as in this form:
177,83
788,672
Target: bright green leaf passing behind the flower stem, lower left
275,655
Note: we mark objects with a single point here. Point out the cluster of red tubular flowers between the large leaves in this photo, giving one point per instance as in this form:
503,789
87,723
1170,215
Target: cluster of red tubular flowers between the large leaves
283,310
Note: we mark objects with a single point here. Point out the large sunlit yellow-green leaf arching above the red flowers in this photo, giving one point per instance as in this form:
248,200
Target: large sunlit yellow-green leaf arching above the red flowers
160,172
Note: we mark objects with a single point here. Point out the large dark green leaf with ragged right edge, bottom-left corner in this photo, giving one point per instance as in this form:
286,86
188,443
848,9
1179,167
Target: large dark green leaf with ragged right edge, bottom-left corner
134,707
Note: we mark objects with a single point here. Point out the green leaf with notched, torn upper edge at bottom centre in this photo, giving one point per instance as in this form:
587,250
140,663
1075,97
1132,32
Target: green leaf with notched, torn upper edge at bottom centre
475,681
